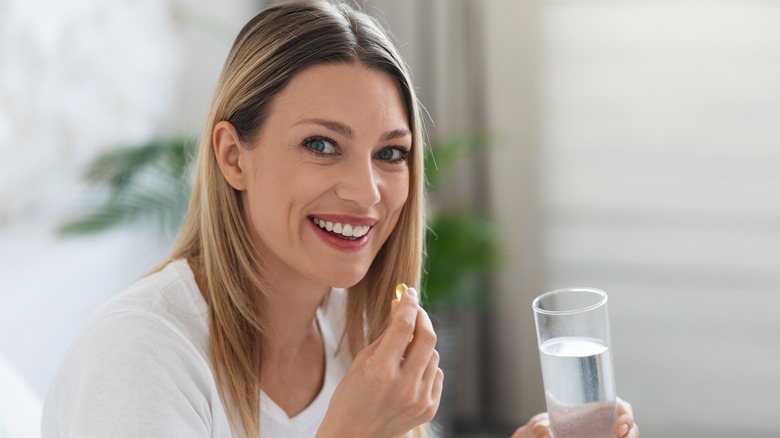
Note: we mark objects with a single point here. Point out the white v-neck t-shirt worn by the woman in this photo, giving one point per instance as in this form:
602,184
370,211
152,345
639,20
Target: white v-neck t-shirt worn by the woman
141,368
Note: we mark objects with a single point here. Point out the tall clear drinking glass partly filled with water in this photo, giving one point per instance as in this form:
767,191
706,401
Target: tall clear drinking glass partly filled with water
572,327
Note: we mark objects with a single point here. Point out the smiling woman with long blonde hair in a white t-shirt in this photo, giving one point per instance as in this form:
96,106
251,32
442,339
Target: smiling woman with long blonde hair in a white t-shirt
309,182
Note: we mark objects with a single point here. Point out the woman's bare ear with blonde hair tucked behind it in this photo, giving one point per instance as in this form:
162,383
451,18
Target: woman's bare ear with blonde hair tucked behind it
230,154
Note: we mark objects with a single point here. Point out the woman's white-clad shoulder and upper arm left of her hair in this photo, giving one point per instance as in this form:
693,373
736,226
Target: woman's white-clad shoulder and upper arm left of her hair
137,361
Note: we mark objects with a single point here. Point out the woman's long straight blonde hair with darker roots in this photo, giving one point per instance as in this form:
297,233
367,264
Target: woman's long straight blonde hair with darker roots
268,52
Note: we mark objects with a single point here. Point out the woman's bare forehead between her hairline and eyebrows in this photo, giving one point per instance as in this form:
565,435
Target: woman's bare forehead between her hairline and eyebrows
349,93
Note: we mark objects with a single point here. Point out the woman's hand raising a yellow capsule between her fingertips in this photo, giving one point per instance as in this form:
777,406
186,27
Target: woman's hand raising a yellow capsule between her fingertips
394,384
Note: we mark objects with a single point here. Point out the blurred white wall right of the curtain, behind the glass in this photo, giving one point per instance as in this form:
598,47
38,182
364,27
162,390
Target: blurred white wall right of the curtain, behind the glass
660,148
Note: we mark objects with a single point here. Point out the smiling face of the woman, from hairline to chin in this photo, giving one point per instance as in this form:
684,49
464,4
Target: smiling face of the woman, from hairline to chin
327,176
